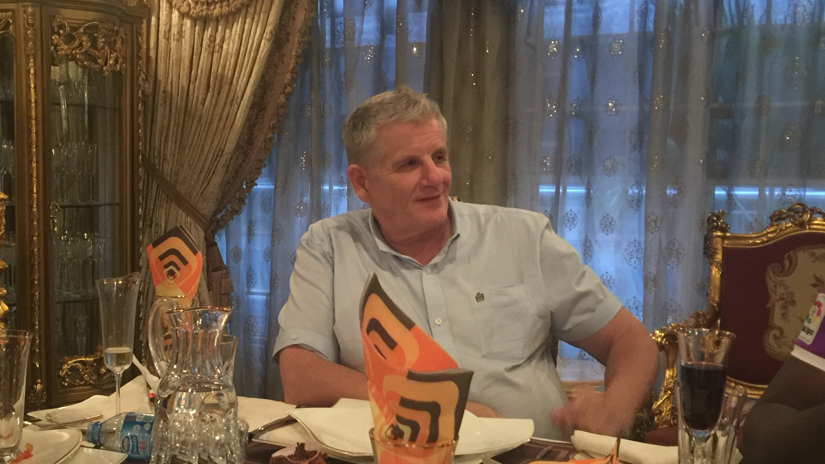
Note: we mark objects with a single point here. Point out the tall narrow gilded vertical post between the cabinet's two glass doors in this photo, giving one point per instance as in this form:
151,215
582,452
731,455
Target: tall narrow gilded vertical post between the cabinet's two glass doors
37,391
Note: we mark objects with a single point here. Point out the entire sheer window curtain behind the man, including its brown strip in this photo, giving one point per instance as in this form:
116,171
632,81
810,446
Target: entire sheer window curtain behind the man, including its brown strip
625,122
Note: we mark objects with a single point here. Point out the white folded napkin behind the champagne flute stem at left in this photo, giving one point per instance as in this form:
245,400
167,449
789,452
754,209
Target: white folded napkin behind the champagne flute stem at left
134,398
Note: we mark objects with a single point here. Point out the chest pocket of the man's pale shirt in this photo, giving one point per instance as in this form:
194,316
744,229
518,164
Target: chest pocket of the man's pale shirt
507,324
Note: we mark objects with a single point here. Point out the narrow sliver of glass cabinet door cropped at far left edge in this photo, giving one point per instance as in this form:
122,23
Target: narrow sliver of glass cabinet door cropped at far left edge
8,253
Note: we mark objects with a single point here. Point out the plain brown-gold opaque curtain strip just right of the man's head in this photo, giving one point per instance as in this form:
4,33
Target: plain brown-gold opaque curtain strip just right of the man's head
469,59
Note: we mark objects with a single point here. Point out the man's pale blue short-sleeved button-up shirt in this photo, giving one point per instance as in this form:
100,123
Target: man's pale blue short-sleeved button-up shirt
495,296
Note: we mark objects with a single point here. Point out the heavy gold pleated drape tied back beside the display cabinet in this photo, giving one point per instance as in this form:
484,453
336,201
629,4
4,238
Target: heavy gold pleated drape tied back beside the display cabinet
216,88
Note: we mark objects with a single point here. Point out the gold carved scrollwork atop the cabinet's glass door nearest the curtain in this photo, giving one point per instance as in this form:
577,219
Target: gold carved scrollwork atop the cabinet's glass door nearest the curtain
94,45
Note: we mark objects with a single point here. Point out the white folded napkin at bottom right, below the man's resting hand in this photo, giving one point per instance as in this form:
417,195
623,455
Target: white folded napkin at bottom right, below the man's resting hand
630,451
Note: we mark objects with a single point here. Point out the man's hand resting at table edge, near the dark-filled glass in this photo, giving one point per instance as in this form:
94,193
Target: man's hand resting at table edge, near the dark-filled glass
589,410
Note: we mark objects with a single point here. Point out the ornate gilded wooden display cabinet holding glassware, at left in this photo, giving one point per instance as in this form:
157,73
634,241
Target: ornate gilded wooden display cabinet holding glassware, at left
71,75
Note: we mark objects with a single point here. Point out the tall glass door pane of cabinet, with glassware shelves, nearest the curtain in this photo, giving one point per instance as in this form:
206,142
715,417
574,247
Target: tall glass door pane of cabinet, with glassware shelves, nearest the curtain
85,201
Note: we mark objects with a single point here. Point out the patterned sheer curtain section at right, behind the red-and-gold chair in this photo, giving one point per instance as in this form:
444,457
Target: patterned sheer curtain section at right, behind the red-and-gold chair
736,124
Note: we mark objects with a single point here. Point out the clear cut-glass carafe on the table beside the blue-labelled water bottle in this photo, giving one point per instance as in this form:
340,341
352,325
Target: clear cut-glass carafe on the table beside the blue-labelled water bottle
196,413
